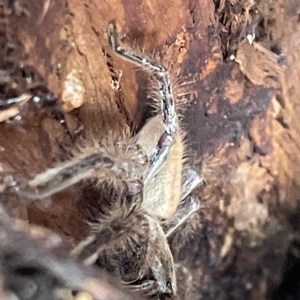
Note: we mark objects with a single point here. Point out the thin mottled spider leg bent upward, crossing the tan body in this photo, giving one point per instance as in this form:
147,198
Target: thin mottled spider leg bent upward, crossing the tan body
168,110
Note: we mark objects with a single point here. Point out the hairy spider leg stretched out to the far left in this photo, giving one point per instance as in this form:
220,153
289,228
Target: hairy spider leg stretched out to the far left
81,167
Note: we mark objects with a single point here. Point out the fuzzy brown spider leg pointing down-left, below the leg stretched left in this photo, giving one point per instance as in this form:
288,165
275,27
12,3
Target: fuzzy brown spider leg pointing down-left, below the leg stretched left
123,226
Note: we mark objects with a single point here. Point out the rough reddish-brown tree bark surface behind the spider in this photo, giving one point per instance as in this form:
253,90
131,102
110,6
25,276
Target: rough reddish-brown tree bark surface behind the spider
240,114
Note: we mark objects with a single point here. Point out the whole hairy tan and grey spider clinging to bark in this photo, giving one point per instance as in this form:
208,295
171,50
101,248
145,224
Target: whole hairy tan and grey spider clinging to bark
143,187
